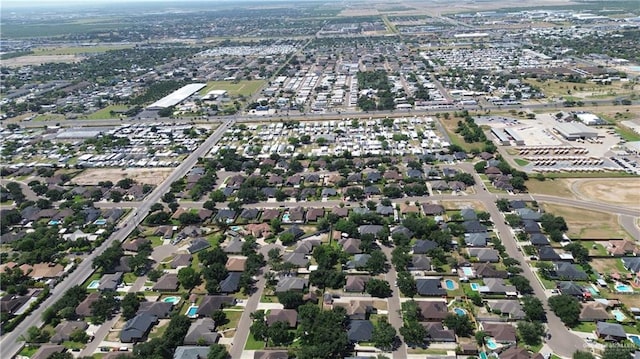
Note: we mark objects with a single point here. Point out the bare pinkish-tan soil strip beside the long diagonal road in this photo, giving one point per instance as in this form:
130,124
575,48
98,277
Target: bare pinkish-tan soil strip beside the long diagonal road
152,176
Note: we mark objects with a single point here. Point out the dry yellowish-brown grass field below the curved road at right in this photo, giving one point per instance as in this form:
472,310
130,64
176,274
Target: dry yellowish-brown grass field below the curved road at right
584,223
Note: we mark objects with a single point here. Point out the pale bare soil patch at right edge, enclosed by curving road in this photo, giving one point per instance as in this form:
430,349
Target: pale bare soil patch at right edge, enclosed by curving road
618,191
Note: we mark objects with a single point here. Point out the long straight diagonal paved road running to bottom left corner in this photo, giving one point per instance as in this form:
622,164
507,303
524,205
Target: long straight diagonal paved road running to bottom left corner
9,345
